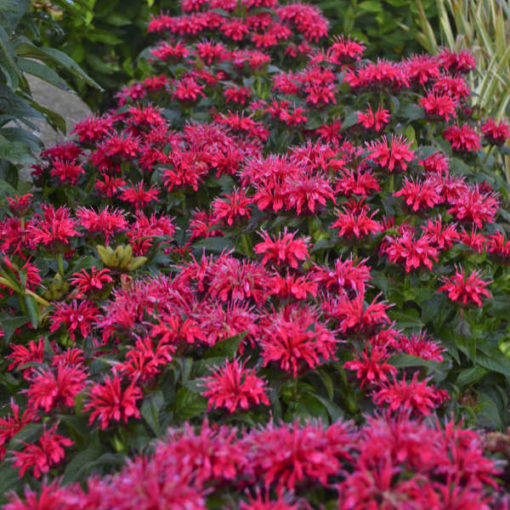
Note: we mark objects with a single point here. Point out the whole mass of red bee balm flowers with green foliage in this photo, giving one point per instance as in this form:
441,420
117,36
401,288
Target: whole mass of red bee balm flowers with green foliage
291,258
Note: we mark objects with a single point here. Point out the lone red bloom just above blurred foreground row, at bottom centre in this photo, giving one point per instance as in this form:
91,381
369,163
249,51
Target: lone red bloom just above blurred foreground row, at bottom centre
235,387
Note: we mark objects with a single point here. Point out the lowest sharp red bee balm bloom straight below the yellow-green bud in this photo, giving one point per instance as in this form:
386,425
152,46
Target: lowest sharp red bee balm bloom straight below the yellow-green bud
110,403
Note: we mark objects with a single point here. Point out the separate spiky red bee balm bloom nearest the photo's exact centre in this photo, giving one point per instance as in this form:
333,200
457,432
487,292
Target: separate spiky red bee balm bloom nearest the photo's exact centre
282,250
